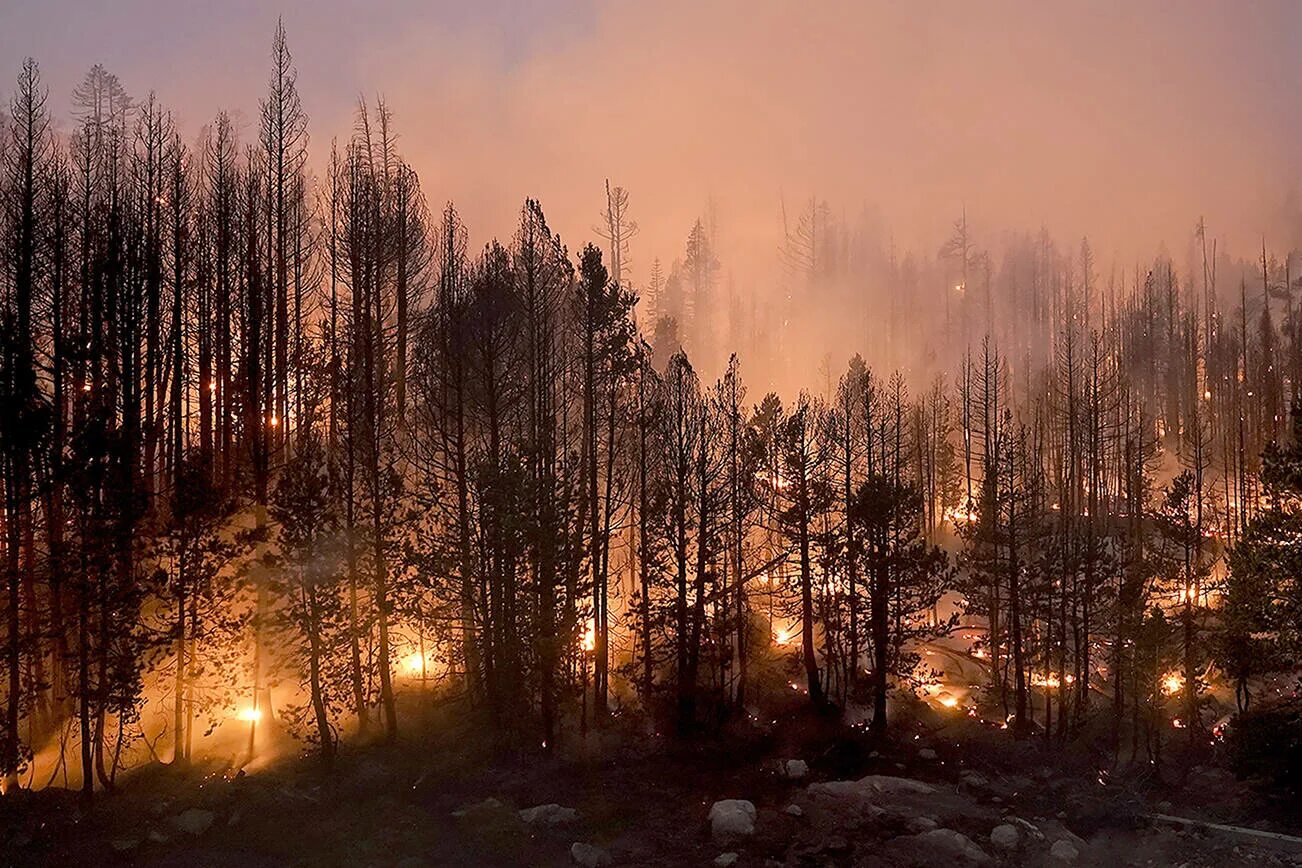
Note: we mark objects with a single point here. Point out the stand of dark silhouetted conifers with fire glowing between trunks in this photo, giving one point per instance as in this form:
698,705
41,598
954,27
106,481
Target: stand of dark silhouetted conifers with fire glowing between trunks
268,430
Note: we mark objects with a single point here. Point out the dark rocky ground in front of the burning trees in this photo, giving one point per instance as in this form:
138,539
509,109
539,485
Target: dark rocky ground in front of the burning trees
645,801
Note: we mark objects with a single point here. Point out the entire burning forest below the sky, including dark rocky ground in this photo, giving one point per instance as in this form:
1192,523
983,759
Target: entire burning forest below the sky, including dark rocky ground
342,530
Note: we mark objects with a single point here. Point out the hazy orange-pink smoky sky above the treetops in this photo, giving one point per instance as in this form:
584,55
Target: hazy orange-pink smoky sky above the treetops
1120,120
